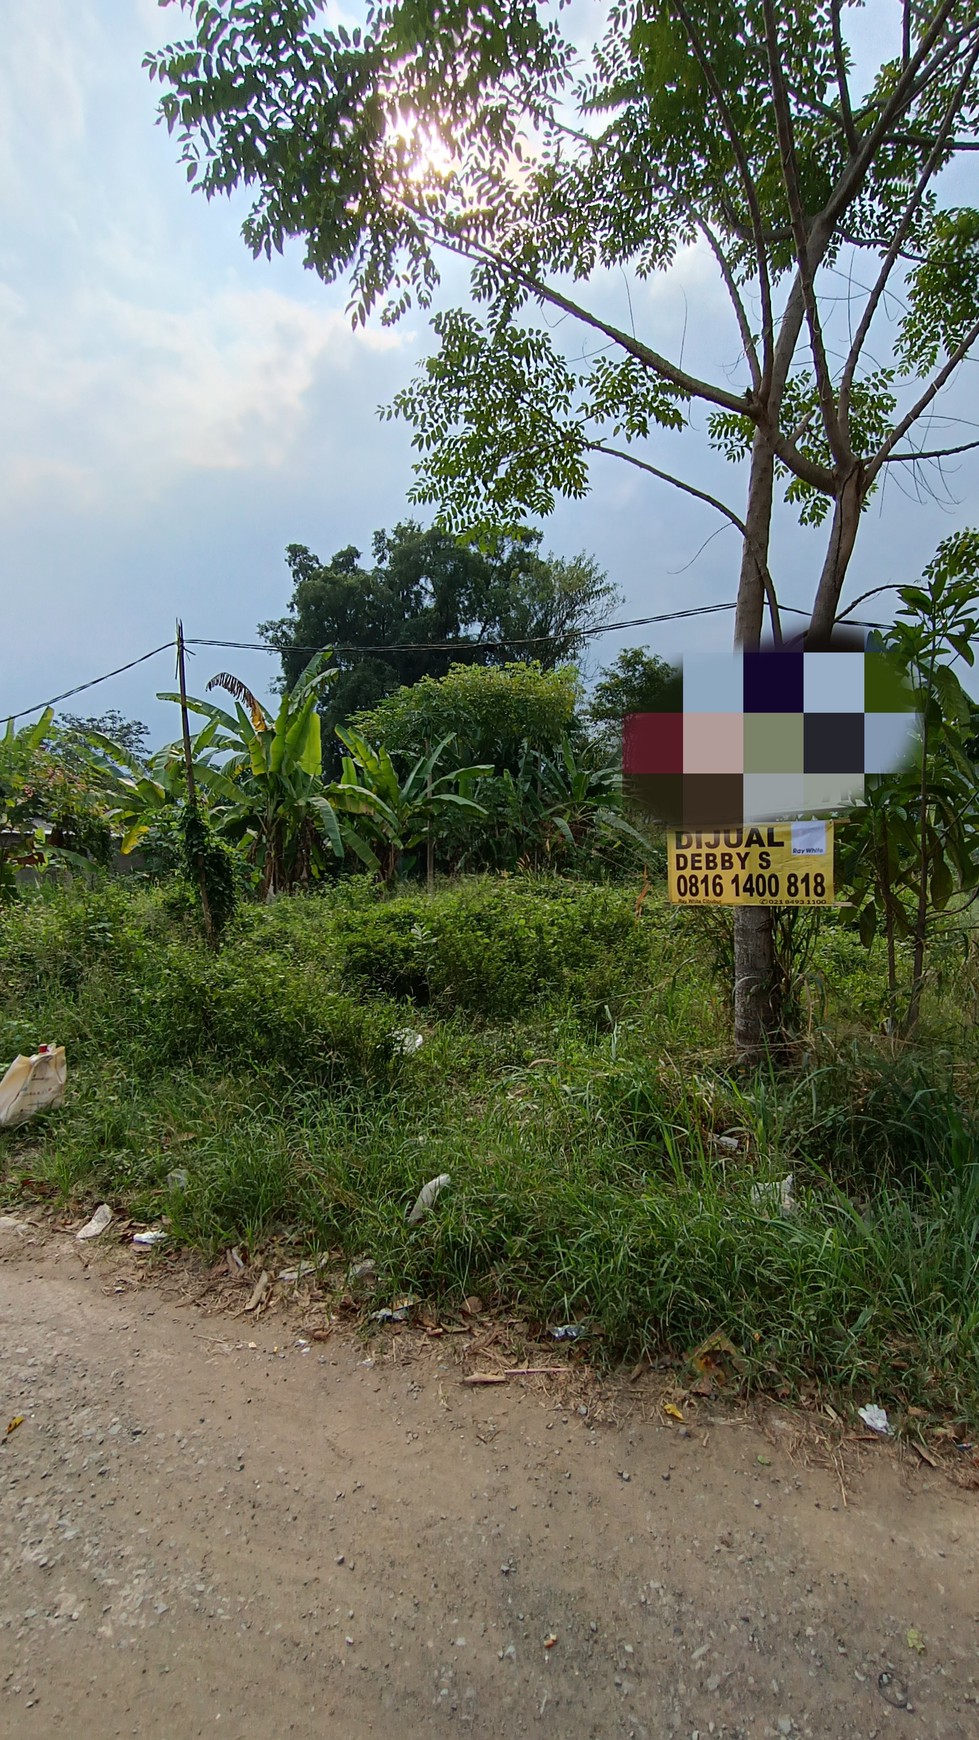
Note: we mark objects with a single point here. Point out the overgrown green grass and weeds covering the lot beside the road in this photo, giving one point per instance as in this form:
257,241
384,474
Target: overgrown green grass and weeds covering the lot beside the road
573,1081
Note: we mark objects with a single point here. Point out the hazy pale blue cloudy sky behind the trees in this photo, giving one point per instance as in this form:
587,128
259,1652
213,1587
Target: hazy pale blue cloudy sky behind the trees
176,413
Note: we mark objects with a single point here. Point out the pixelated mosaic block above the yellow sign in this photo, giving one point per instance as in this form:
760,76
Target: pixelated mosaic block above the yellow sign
769,735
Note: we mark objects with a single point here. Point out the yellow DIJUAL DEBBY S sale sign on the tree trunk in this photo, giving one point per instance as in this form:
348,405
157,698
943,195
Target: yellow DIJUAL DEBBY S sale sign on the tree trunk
789,864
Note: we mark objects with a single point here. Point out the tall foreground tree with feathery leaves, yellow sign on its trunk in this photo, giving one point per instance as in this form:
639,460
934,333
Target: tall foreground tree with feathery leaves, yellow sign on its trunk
735,126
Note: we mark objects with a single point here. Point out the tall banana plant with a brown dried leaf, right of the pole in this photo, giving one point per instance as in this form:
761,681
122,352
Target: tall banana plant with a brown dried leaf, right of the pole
267,791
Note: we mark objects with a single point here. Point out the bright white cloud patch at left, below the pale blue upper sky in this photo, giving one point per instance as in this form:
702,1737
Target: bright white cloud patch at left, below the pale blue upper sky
109,398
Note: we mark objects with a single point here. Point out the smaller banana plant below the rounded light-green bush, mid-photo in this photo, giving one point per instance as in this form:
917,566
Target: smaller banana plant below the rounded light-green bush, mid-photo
399,813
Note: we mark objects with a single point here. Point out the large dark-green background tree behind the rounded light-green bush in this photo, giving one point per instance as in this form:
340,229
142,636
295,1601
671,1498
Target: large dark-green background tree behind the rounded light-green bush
427,589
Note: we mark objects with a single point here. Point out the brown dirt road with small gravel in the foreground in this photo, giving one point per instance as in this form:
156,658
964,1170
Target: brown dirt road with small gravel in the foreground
208,1537
